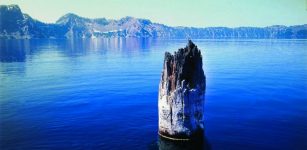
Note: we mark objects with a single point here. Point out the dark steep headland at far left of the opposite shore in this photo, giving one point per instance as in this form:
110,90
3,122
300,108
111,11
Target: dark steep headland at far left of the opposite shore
16,25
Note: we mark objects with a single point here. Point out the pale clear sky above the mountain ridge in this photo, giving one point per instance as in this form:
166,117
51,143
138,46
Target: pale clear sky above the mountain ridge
191,13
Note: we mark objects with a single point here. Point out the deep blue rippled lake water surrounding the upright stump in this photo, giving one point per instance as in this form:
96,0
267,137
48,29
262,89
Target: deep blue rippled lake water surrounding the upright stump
102,93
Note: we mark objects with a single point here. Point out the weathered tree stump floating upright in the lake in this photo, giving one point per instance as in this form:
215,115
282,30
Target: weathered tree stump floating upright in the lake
181,93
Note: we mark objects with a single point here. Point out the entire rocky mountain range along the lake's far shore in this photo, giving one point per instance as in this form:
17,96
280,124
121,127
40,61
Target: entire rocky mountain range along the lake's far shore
16,25
